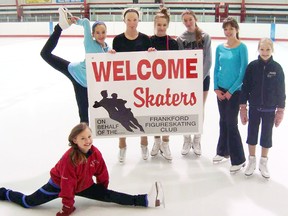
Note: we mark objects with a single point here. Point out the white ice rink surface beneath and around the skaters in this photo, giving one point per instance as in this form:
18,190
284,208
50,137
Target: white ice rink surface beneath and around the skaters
38,110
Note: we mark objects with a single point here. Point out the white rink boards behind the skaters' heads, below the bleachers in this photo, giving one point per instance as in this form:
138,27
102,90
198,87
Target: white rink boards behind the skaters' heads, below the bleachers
247,30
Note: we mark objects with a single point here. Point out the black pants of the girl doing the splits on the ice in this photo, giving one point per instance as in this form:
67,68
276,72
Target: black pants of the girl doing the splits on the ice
50,191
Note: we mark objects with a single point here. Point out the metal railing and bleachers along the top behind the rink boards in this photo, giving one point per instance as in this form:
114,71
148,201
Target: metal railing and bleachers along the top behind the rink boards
254,13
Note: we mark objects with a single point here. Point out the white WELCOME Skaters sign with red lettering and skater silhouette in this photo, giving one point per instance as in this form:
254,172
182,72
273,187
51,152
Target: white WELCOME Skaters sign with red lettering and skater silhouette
145,93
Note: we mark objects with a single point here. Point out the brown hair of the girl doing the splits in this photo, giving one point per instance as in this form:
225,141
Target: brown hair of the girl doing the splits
77,157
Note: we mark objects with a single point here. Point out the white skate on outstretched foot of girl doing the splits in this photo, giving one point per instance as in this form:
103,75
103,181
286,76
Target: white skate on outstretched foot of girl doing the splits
155,197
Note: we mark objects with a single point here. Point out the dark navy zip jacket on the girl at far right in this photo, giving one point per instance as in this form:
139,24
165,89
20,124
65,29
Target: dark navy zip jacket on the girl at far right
264,85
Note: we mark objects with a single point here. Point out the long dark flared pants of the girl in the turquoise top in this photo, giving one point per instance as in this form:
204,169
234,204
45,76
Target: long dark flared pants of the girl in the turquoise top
230,142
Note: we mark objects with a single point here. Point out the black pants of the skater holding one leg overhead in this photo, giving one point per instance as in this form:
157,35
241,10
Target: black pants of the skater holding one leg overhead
62,66
